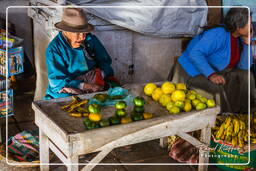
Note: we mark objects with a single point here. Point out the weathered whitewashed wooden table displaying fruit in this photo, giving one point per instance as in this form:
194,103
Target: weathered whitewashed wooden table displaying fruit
67,137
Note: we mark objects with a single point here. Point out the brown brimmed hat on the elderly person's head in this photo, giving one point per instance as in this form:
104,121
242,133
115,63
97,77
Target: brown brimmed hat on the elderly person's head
74,20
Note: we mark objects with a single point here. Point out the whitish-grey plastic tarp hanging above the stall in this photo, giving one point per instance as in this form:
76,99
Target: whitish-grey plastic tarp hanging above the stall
151,20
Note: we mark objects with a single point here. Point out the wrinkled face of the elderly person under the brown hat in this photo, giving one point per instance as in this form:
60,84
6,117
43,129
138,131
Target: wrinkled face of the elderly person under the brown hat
75,39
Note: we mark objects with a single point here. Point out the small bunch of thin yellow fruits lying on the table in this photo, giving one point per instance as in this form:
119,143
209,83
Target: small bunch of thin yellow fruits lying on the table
75,108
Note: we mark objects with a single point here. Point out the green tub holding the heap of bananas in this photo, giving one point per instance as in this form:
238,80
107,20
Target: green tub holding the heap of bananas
226,154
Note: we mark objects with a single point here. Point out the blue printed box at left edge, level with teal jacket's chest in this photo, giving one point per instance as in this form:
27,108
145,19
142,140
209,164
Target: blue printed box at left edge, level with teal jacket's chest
15,61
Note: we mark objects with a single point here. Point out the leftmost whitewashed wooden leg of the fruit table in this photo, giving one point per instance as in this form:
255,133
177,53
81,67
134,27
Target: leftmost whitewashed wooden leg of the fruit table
44,151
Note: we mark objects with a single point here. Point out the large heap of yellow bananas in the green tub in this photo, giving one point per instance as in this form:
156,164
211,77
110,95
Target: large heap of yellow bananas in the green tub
233,129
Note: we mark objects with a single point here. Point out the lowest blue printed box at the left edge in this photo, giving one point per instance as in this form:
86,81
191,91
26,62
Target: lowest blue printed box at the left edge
6,107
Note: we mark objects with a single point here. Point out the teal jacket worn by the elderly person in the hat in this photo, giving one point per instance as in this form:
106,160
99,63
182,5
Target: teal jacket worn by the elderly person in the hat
64,63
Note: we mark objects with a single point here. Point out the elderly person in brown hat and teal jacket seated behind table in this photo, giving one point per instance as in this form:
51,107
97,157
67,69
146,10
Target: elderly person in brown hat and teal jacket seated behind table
77,61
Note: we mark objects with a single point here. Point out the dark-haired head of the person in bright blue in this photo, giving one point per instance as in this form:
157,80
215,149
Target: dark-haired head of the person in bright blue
237,21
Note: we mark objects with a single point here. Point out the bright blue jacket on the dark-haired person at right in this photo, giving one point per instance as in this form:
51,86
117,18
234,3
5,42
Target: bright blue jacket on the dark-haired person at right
210,52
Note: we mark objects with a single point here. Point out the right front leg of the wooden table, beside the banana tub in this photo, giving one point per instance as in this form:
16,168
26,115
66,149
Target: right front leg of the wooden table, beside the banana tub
203,155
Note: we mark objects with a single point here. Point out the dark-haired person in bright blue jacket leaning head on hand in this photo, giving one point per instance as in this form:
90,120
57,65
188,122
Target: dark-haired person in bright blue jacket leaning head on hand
218,59
